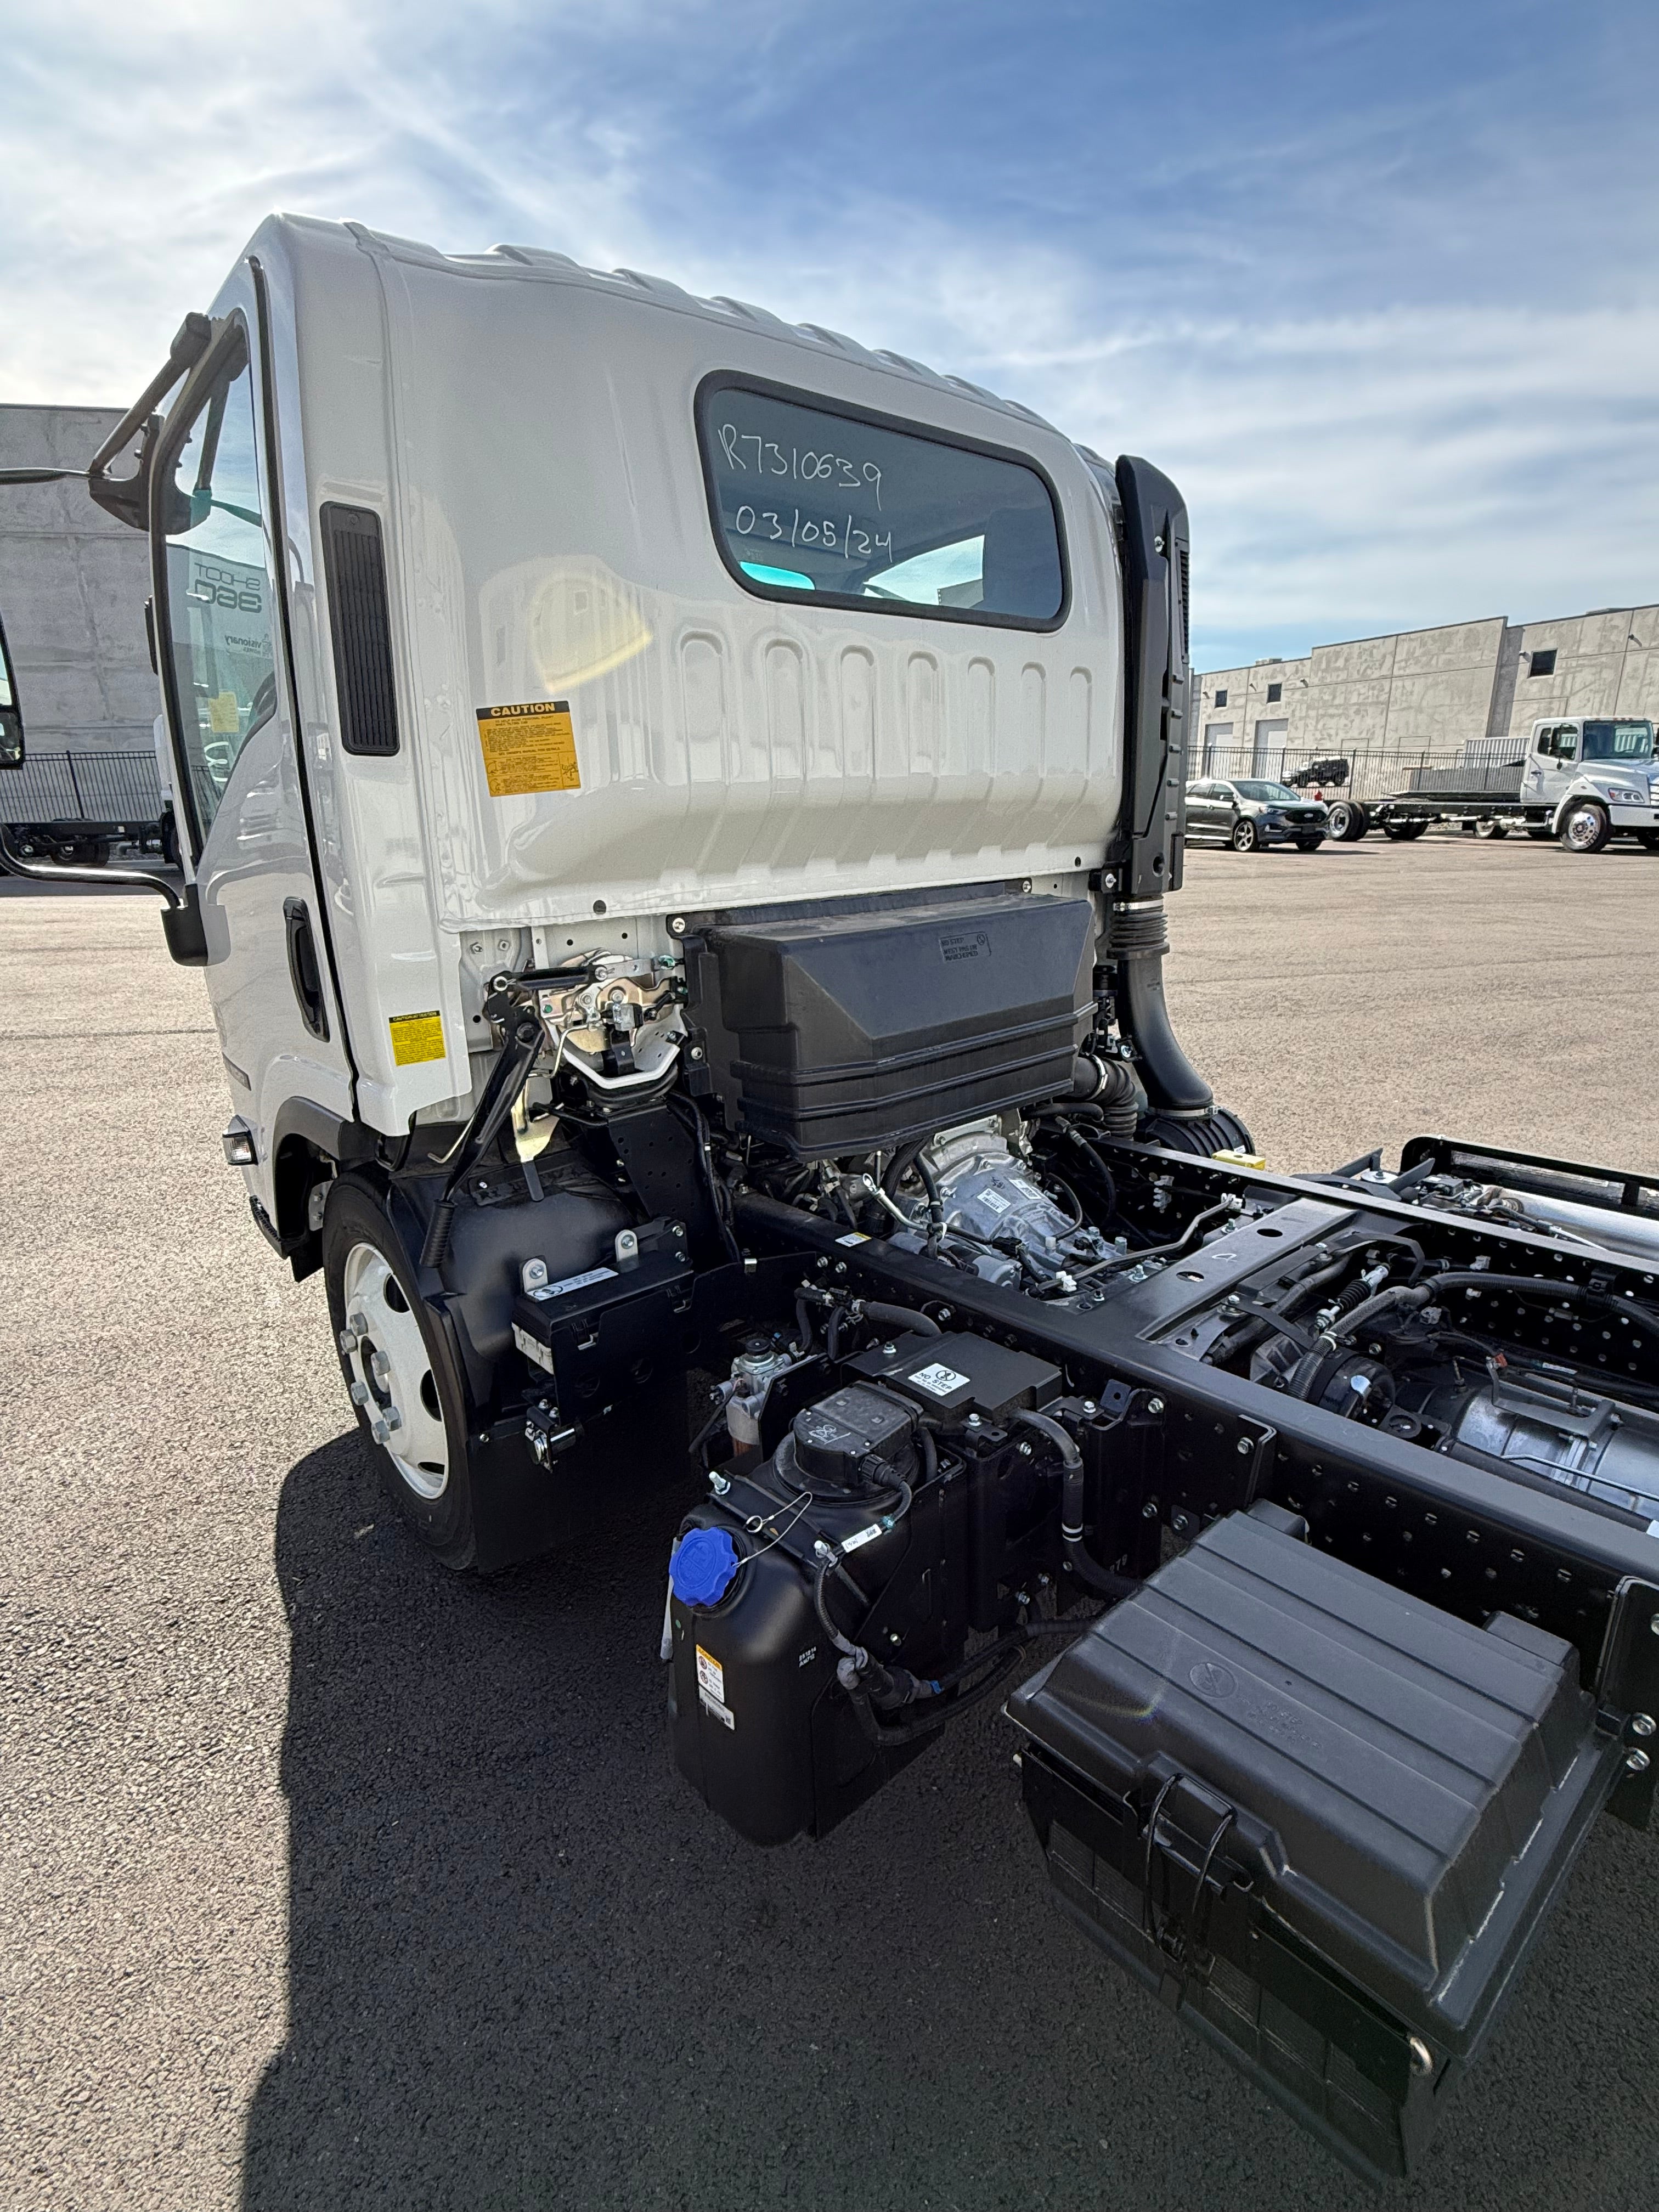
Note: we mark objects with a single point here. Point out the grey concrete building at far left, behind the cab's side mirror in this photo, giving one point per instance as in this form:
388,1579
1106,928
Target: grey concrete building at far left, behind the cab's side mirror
72,594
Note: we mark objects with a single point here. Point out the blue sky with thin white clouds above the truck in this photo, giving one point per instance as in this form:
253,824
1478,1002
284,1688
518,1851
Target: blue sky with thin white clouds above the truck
1375,284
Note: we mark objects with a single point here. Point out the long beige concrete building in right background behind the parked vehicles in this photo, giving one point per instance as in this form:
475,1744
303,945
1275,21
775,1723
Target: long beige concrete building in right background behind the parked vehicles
1465,687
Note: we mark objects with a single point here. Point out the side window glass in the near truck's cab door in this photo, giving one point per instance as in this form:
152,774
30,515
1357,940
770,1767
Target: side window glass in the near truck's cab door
218,587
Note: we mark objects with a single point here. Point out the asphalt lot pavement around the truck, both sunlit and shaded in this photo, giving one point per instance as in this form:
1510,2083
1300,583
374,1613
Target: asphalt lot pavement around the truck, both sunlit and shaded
335,1881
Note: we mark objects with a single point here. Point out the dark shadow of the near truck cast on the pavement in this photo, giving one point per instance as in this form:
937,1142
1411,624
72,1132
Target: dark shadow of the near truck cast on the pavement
525,1968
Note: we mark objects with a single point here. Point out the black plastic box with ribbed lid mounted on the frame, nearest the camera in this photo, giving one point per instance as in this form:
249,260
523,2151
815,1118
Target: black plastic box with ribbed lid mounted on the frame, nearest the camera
1317,1815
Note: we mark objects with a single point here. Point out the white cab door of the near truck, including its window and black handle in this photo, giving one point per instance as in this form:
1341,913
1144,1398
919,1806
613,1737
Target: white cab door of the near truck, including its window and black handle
229,709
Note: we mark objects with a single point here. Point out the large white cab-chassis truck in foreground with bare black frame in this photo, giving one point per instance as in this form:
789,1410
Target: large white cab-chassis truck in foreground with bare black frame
678,813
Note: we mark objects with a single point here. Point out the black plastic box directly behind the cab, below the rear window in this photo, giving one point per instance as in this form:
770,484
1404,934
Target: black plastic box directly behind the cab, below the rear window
846,1032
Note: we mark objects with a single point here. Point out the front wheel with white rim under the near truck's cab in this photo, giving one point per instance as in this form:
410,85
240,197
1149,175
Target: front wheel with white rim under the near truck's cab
399,1370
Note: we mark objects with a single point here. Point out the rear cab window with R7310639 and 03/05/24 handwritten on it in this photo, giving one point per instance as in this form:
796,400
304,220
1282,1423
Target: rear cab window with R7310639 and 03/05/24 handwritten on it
855,510
